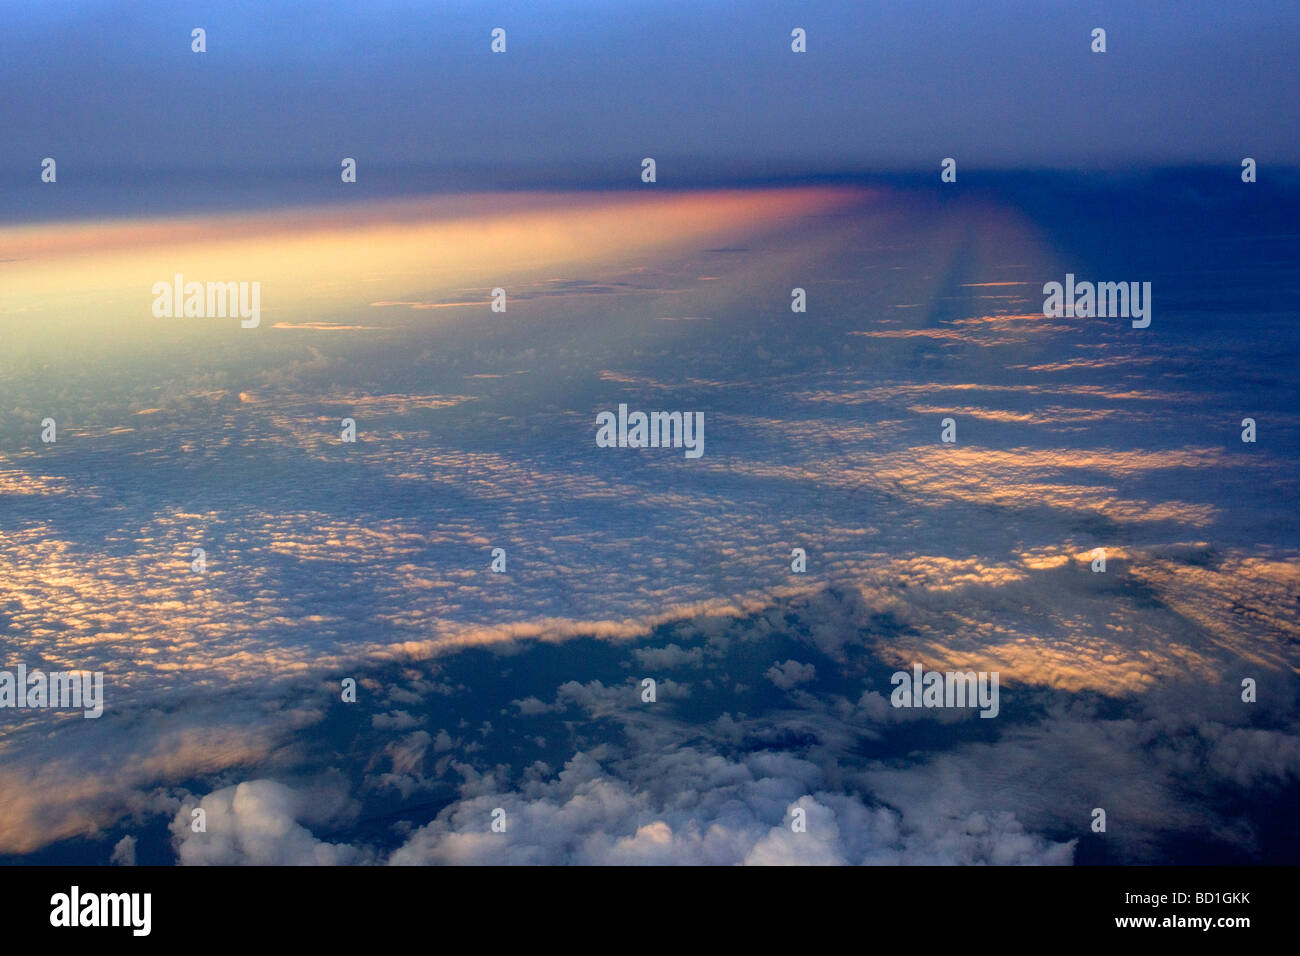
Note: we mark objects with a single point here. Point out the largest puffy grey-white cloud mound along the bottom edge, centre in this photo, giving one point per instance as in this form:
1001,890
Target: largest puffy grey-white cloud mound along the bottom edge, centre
697,807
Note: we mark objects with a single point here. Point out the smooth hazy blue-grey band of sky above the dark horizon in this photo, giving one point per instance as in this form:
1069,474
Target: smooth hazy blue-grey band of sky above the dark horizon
885,85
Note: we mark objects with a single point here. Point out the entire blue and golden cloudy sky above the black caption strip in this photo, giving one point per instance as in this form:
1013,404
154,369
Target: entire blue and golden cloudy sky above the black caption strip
330,561
